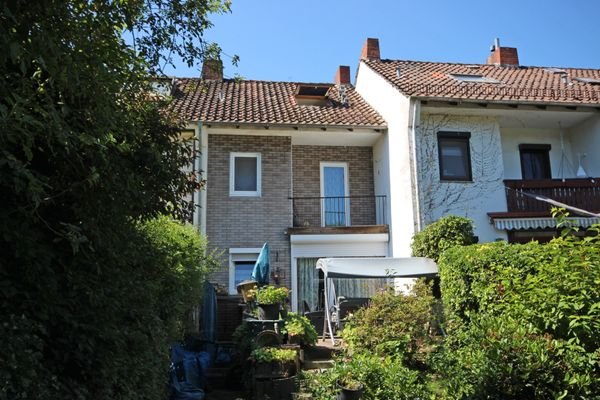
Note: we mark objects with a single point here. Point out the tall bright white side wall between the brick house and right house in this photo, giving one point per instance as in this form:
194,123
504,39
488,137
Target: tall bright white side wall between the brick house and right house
395,151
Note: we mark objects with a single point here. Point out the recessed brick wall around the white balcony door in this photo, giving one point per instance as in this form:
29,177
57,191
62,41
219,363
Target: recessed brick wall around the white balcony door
307,181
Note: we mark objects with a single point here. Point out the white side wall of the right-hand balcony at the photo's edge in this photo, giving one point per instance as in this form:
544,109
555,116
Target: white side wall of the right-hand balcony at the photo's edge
585,139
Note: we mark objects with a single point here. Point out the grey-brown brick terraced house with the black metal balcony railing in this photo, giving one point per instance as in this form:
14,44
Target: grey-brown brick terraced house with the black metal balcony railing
290,164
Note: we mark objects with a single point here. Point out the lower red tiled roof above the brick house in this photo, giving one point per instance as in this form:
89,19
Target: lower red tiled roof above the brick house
265,102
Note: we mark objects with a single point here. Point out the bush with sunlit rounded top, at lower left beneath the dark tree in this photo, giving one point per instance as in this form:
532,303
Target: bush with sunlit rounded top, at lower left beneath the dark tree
102,330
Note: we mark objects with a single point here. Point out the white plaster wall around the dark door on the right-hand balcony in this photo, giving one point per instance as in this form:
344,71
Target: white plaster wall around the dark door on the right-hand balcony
512,137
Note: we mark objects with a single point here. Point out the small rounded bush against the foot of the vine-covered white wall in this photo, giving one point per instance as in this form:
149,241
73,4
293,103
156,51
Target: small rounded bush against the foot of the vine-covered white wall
441,235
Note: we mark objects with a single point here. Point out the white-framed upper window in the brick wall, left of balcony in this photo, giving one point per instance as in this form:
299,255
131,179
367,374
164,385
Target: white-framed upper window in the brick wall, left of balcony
244,174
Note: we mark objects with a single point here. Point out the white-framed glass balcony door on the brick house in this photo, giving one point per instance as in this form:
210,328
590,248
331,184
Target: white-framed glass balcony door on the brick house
335,204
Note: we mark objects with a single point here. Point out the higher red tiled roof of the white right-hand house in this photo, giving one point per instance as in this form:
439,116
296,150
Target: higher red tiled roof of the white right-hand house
516,83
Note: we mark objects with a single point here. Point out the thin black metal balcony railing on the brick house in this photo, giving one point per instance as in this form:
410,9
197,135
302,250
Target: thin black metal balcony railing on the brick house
339,211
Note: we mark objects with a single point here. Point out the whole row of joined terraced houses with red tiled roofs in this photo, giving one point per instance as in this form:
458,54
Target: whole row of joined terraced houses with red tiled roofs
331,170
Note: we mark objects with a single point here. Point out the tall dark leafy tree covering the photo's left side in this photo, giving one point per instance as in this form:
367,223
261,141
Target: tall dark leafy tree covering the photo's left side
87,155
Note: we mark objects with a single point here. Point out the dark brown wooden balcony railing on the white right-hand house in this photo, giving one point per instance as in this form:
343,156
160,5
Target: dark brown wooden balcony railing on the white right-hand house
580,193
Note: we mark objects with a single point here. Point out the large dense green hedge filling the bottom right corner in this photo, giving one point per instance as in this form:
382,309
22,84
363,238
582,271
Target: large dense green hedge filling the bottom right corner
524,319
